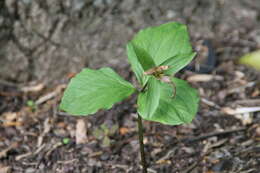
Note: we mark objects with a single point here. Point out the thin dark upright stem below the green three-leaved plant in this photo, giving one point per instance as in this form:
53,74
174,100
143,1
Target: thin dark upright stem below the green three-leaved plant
140,132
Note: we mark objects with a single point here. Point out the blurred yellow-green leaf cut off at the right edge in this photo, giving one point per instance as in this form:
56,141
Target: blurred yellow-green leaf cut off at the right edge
251,59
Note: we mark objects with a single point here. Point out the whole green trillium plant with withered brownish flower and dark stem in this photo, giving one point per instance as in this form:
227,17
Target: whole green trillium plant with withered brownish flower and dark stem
155,55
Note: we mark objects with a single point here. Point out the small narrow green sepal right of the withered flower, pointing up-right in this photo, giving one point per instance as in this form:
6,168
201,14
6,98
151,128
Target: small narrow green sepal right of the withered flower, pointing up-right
177,62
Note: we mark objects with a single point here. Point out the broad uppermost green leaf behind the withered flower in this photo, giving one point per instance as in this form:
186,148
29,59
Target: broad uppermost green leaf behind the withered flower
162,42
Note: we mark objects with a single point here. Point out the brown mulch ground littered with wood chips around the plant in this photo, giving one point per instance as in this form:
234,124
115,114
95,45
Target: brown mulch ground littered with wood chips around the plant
224,137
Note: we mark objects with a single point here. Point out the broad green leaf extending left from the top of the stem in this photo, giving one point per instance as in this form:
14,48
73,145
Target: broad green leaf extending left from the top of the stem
92,90
